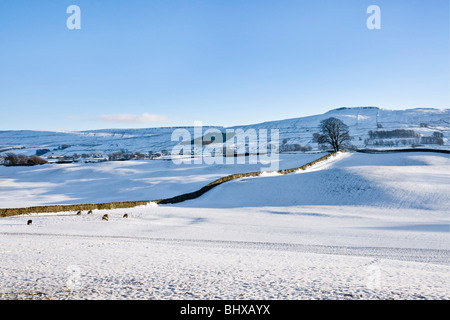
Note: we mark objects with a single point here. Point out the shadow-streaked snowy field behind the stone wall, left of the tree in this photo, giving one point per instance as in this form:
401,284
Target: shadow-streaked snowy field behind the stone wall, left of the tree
118,180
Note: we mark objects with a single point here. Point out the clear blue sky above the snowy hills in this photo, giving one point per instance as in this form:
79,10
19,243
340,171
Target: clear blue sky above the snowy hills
222,62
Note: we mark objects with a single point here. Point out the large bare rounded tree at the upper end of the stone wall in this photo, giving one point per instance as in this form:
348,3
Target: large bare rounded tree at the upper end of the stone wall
333,132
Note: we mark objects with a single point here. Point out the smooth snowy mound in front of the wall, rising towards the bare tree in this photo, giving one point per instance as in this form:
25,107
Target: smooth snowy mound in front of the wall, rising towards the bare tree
390,181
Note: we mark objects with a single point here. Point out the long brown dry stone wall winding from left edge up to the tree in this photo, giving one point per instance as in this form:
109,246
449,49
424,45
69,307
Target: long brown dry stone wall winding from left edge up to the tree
130,204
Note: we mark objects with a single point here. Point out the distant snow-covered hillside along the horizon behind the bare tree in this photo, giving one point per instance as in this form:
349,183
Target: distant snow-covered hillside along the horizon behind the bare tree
431,128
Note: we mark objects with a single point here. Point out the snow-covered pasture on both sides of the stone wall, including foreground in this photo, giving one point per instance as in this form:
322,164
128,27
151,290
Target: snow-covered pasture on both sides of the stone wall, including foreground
356,226
